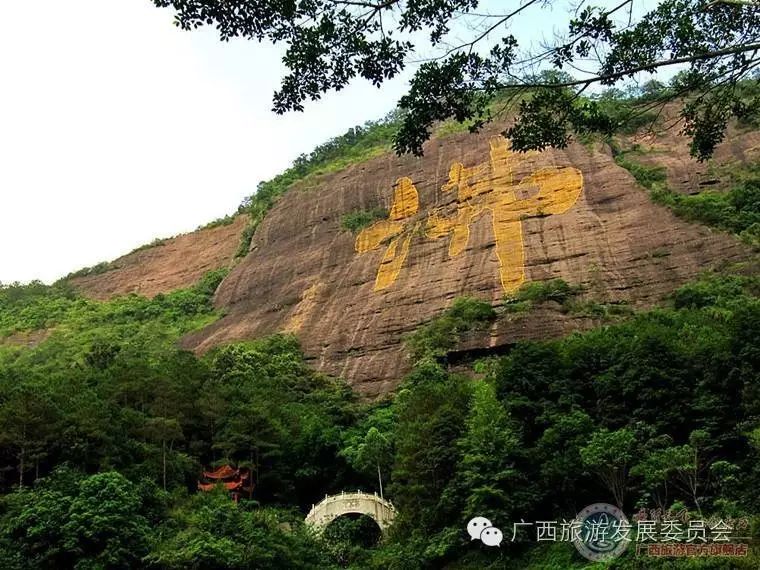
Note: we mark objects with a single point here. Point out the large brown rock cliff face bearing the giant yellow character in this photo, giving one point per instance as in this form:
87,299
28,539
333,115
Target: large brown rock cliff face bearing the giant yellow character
470,218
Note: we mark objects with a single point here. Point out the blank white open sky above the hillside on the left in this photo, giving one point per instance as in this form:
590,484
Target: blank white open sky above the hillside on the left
117,128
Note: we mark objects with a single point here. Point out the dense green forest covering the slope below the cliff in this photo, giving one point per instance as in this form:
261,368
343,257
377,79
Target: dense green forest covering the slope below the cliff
105,426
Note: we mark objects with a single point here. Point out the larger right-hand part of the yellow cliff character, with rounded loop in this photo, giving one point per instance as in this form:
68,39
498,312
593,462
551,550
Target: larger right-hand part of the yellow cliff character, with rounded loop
491,187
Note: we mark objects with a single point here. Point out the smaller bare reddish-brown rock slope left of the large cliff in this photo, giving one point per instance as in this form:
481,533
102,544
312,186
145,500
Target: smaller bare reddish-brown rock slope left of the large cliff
177,263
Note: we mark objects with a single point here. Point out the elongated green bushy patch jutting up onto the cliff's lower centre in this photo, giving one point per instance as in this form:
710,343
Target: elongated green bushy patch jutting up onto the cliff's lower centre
437,337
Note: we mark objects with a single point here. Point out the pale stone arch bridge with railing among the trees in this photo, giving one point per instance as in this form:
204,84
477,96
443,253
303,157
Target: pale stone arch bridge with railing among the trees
328,509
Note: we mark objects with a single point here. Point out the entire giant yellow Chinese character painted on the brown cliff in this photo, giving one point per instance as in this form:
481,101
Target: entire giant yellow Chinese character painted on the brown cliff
488,187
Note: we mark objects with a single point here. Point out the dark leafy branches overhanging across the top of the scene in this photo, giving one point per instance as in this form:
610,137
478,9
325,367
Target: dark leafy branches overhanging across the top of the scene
329,43
